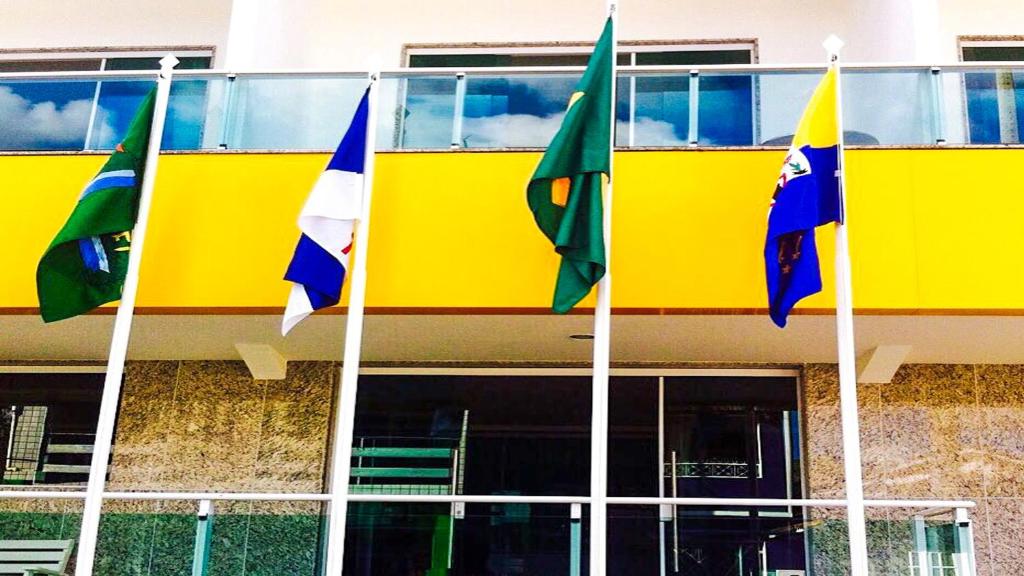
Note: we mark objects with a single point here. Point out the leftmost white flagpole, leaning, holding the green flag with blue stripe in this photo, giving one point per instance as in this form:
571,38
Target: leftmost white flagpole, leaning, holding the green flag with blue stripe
122,333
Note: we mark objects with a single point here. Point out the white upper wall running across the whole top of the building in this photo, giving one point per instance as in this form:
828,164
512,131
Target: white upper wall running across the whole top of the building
352,33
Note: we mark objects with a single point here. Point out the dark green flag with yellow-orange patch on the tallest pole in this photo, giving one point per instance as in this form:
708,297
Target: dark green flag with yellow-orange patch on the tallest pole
566,191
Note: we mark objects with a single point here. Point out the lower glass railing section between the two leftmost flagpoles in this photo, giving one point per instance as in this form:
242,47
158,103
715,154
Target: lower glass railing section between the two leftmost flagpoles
238,539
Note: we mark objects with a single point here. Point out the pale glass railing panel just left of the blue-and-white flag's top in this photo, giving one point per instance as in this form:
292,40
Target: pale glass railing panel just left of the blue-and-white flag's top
288,113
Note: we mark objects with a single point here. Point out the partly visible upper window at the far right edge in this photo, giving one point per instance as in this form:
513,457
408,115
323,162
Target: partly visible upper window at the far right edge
995,99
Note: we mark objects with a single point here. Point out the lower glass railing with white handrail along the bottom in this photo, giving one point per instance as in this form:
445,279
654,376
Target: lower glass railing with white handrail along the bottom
153,534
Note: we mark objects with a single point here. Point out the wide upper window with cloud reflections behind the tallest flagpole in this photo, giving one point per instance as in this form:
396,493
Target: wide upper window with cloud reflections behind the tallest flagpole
526,111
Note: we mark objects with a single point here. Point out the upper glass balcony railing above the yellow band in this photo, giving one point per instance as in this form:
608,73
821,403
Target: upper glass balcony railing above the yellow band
497,109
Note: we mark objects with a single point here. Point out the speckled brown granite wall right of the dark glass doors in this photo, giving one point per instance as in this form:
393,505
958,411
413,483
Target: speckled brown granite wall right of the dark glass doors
950,432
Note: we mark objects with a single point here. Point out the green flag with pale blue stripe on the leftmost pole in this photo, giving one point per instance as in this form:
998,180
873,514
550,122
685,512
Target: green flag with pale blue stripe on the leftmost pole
86,265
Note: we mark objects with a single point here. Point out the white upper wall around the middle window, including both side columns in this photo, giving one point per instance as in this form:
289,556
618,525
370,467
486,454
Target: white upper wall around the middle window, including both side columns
332,34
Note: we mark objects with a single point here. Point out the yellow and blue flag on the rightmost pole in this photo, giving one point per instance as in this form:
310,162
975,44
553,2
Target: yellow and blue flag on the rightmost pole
807,195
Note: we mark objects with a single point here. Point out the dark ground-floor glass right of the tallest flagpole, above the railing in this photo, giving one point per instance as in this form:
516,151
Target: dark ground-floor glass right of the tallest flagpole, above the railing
724,438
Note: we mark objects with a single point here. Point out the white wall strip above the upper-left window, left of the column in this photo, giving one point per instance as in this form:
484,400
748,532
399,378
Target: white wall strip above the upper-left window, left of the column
113,24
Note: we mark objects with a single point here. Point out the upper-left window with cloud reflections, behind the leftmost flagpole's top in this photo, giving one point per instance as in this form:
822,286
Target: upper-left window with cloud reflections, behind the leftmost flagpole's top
67,114
